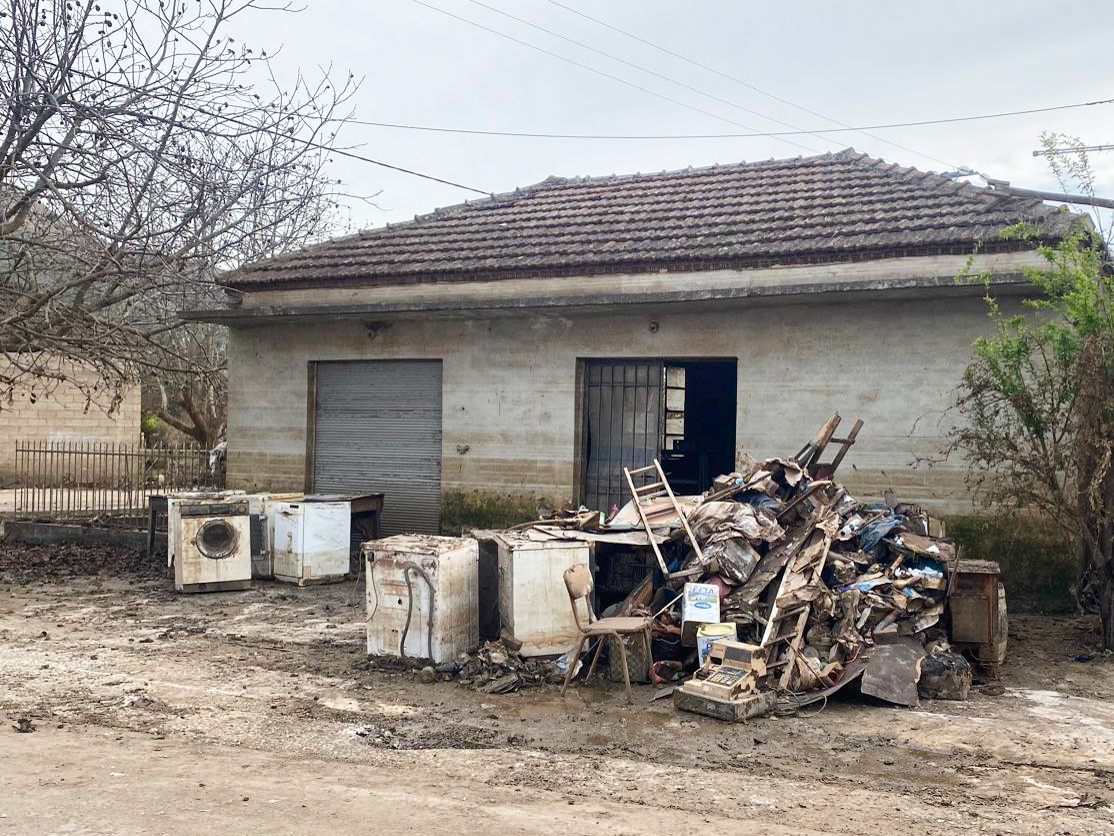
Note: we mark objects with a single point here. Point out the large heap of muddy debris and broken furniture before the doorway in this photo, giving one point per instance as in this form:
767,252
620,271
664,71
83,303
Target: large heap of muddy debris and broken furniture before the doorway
816,589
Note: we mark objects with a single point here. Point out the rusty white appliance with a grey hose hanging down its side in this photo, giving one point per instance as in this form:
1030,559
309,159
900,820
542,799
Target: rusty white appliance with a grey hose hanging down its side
423,597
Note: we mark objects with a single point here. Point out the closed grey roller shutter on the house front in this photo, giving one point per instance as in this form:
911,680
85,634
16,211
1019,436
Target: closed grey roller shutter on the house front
378,429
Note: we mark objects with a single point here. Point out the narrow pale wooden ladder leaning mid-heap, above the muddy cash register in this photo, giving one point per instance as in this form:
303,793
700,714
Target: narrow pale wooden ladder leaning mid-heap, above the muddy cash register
789,619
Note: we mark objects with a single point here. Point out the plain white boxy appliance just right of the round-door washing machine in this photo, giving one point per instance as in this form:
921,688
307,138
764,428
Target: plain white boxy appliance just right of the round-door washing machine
311,542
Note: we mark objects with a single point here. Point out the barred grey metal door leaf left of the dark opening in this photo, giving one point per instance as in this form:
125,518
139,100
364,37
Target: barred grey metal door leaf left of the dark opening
624,423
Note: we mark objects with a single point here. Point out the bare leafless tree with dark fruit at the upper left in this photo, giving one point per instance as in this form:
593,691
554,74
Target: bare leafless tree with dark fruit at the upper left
143,149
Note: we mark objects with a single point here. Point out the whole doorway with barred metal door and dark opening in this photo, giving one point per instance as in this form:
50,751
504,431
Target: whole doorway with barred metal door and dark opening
636,411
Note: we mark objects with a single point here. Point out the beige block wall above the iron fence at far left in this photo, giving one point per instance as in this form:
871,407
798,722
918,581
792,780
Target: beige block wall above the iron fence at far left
61,415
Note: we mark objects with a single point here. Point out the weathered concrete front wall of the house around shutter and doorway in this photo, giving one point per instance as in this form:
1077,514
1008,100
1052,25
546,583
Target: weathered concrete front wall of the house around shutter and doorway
511,387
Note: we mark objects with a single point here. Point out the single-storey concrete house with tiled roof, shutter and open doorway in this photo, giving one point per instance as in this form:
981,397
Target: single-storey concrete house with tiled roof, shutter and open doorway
522,349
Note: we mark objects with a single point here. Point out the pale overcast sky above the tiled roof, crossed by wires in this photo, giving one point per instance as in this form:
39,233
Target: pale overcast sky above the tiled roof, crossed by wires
859,64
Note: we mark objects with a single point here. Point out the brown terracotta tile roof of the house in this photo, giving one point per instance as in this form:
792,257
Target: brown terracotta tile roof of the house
834,207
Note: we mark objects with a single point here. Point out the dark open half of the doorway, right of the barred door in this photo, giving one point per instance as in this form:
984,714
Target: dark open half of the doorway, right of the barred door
699,438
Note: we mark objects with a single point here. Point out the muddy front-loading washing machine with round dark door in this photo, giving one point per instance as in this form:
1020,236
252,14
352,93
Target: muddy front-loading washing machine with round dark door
210,543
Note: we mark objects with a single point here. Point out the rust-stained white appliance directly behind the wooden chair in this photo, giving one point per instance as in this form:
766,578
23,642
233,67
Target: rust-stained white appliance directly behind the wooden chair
534,604
